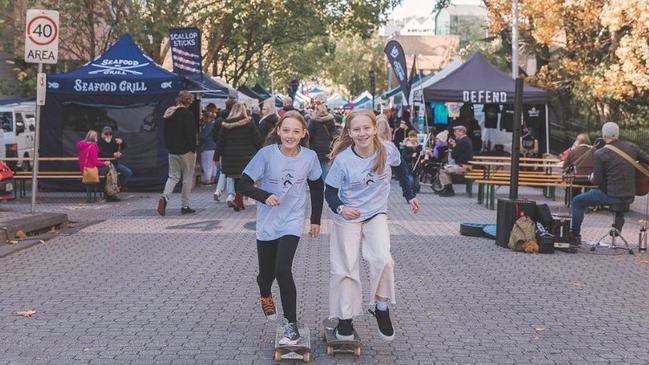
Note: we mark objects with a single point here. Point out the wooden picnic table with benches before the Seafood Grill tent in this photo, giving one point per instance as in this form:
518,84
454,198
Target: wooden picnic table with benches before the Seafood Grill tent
21,176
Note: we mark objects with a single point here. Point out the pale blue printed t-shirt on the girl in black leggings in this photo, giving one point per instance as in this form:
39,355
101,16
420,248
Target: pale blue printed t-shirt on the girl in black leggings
285,177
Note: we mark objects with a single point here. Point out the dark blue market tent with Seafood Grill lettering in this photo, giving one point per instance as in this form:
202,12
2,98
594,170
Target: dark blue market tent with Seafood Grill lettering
122,88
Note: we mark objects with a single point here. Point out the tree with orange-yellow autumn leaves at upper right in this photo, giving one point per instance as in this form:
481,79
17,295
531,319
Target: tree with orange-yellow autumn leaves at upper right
592,51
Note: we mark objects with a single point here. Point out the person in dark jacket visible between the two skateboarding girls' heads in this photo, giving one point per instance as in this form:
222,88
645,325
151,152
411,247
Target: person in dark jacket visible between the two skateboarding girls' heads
322,129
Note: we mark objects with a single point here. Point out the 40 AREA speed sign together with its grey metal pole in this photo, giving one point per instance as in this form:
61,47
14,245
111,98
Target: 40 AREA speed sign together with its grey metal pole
41,46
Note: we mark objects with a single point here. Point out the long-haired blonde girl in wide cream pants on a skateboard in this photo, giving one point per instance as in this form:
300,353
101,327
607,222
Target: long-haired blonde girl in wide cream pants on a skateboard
357,189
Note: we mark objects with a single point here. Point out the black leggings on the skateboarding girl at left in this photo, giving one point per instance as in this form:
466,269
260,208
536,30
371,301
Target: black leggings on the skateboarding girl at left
276,262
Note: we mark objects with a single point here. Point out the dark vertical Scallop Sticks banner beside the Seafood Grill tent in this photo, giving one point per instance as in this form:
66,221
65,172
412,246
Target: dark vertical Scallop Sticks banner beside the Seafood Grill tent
186,52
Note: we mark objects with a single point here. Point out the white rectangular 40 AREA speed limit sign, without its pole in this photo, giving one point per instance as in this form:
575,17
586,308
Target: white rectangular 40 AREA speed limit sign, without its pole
42,36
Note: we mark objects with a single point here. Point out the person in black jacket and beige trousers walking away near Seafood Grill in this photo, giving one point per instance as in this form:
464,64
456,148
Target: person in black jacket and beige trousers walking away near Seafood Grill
180,139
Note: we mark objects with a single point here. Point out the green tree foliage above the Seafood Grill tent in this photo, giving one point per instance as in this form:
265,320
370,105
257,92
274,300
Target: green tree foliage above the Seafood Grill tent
269,41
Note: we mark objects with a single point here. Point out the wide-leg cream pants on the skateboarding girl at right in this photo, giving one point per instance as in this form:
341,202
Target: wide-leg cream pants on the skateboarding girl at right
346,241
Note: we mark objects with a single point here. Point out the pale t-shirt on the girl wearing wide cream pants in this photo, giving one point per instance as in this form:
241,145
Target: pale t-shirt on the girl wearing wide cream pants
358,186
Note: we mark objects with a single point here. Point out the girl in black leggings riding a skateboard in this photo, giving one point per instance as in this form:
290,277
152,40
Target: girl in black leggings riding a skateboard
284,168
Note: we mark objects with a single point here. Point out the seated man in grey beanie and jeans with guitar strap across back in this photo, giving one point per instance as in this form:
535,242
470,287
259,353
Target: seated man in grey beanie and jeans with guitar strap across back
614,175
